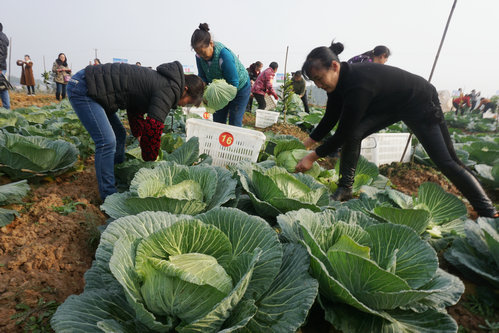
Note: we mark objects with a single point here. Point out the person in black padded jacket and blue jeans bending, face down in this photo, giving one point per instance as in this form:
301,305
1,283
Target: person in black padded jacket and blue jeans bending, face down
97,92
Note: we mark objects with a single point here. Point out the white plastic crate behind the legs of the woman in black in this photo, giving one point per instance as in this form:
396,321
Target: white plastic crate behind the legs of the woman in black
383,148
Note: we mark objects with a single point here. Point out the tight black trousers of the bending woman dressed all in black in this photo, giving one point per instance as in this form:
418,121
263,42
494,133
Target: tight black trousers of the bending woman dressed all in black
432,132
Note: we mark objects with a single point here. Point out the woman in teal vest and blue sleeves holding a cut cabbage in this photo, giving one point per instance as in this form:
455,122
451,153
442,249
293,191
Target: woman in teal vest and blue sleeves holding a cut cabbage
215,61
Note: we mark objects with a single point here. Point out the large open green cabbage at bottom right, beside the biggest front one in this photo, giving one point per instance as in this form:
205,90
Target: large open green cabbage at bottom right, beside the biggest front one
374,277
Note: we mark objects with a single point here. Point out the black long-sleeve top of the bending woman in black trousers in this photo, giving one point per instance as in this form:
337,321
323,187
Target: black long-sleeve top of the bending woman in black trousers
367,89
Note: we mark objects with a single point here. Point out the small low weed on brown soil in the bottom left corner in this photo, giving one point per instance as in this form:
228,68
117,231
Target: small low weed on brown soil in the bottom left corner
36,319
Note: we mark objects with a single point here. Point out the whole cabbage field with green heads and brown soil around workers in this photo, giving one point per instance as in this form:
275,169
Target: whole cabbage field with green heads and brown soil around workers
187,246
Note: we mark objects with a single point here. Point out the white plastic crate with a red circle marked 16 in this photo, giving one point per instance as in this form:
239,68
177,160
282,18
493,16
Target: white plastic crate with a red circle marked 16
226,144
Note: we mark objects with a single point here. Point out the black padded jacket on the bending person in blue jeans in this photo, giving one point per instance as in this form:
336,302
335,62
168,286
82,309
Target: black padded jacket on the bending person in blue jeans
136,88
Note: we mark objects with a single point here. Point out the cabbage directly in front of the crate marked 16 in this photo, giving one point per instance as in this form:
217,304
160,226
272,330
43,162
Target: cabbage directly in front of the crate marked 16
174,188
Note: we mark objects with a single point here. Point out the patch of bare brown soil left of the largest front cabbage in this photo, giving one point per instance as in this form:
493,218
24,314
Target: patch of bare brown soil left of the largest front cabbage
44,254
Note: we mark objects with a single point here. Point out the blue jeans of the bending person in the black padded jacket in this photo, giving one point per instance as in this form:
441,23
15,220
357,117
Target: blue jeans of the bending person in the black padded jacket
106,131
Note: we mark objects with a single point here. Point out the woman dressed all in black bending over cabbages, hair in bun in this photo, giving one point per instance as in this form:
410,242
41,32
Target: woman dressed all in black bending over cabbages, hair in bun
367,97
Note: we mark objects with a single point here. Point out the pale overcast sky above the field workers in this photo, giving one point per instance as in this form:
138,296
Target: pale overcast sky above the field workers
154,32
